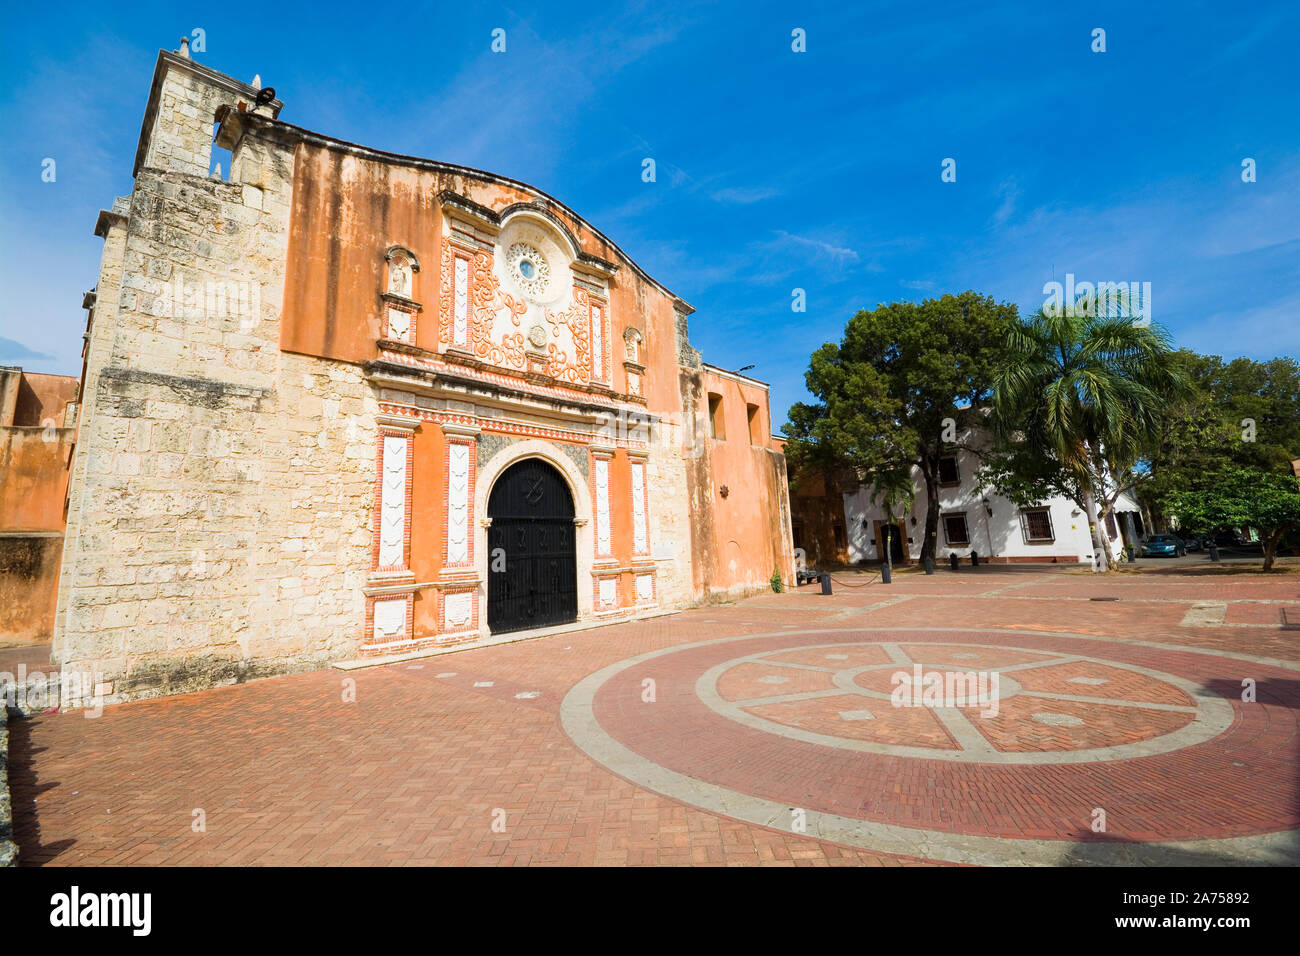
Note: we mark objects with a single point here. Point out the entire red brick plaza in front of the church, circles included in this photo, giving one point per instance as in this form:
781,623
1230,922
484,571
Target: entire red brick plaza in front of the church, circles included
760,733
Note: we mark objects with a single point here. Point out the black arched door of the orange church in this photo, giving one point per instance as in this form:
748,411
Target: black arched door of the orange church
532,576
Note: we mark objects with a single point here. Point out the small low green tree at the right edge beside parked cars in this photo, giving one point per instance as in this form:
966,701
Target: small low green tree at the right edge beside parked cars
1241,498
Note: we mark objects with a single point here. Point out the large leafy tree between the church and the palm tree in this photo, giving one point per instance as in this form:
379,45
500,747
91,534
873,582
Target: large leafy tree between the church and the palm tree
899,392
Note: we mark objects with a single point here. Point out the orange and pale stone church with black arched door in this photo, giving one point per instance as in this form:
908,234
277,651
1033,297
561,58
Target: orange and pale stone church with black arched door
346,405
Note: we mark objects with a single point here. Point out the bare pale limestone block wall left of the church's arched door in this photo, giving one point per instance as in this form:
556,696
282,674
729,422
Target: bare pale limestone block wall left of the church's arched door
222,488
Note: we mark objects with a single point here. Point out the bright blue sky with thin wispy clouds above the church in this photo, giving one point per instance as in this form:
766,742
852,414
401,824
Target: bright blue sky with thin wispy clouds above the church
775,170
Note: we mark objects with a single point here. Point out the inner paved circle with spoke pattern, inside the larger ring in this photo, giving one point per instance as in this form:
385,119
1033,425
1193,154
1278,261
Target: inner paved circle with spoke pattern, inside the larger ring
964,703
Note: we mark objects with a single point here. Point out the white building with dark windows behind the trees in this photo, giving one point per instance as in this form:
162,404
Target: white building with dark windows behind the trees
970,520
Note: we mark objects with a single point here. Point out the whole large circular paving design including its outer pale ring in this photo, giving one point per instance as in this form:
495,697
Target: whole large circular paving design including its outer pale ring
787,726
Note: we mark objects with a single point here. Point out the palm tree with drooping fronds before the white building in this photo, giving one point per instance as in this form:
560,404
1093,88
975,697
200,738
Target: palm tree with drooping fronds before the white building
1089,388
